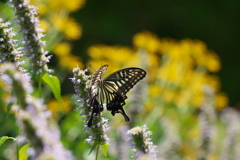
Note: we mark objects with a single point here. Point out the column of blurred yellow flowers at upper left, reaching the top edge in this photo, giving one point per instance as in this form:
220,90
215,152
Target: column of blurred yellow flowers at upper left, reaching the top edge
56,21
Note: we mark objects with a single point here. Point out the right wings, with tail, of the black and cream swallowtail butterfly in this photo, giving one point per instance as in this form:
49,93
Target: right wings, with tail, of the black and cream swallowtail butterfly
122,81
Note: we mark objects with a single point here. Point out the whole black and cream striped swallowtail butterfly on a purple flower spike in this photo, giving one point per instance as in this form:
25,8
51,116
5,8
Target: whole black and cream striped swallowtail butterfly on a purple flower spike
112,90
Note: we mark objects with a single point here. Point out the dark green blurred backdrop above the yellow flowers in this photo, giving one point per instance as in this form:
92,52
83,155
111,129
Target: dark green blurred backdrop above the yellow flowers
216,23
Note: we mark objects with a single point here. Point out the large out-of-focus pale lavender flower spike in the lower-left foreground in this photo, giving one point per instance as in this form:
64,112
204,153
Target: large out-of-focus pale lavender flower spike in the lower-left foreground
42,133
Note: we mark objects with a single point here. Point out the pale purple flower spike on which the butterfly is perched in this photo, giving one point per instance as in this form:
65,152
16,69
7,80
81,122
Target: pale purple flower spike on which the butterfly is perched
98,130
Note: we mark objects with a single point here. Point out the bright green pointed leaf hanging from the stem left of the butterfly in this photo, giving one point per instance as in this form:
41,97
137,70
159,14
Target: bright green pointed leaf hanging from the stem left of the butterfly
54,84
